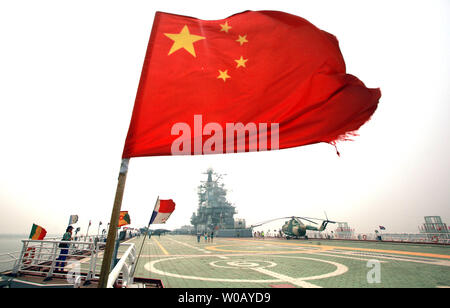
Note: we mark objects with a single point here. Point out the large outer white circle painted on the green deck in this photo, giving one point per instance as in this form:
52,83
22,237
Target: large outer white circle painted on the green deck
340,269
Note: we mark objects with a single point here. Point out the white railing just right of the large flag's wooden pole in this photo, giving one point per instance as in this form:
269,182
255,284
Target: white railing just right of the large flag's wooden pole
124,269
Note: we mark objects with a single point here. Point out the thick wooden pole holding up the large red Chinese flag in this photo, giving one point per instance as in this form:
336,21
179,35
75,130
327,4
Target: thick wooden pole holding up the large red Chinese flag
110,241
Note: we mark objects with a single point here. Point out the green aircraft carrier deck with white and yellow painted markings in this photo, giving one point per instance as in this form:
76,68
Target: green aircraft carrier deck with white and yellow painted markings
179,261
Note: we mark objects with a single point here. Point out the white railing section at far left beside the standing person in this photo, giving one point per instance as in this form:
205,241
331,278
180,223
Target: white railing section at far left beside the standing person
70,260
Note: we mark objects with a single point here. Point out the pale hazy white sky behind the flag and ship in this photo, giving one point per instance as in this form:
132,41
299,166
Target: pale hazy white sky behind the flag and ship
69,72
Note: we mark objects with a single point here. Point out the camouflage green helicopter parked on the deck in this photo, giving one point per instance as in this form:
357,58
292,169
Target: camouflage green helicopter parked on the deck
295,228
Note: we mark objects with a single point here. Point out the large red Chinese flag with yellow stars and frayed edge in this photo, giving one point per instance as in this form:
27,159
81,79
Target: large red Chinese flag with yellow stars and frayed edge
251,82
